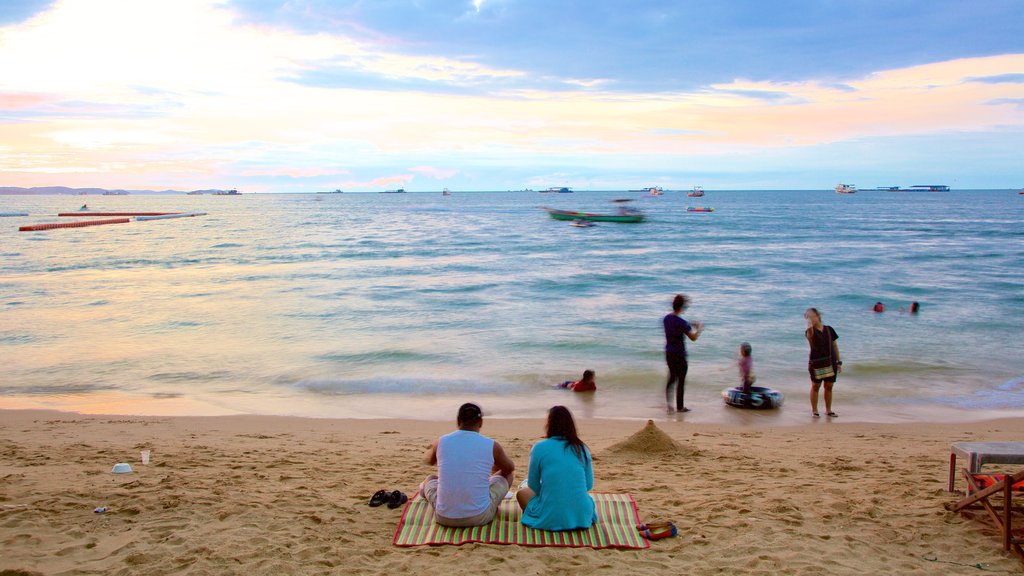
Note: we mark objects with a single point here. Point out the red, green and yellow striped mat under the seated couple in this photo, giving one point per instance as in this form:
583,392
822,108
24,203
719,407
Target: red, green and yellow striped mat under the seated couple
616,527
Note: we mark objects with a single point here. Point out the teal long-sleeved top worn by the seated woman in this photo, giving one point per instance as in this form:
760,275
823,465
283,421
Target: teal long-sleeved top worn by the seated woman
561,480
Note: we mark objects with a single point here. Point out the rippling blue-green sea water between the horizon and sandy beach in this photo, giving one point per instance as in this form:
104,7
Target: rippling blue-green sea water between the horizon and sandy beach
406,306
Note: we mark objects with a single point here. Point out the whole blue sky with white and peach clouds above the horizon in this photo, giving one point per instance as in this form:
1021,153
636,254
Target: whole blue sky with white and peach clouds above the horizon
312,96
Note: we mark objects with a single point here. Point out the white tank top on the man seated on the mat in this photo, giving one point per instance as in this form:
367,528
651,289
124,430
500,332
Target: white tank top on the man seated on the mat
464,463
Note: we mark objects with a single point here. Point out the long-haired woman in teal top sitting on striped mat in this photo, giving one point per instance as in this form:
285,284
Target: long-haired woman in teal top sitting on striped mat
561,474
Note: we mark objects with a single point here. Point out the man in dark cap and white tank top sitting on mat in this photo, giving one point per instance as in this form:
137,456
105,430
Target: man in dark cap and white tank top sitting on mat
474,474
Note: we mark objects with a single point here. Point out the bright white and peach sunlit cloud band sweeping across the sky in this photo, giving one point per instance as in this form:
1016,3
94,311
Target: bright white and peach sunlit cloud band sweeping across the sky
110,86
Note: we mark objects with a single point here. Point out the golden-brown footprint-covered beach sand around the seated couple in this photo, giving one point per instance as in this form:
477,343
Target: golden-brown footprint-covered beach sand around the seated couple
277,496
